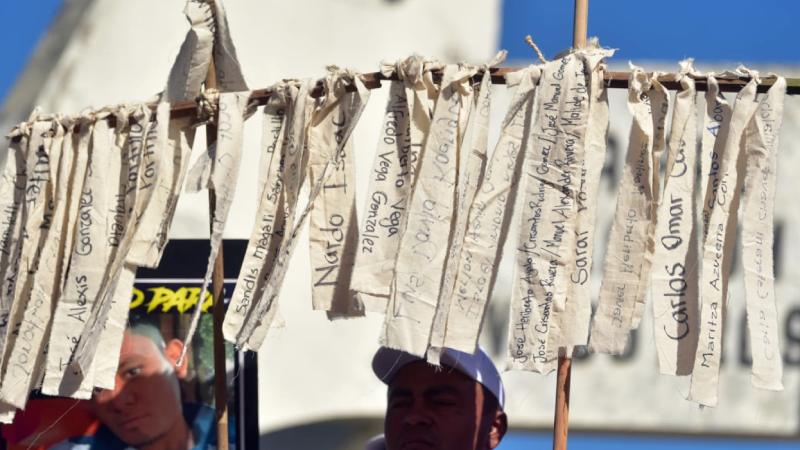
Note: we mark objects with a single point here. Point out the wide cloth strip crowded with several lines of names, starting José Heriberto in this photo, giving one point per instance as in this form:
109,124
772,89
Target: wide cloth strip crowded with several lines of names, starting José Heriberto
546,232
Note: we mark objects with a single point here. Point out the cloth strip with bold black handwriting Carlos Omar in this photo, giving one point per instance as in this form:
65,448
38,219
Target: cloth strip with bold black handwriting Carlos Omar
674,276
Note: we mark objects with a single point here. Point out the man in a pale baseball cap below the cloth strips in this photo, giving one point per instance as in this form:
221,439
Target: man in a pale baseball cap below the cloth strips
456,406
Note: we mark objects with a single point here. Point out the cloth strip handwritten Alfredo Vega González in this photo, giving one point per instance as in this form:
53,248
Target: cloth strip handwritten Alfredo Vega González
406,123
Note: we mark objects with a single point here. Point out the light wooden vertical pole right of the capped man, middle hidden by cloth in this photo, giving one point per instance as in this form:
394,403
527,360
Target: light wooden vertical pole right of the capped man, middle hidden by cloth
564,374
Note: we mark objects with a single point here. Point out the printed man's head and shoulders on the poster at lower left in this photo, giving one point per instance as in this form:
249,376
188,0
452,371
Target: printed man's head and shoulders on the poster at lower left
145,410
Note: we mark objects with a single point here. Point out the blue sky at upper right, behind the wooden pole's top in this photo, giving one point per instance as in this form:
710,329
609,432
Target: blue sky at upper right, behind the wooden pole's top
733,30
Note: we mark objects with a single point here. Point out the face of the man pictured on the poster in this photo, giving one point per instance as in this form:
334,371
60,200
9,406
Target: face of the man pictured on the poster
145,403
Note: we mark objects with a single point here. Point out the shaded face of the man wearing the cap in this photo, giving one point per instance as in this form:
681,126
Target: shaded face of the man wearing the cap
435,409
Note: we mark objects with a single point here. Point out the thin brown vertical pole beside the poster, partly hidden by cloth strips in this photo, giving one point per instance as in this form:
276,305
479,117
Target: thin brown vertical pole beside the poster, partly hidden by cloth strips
217,291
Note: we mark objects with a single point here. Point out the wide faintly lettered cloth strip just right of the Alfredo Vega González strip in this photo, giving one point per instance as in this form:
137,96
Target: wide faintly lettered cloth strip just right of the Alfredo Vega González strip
424,244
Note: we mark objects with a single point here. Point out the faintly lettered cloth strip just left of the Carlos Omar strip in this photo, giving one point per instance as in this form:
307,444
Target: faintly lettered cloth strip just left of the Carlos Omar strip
630,246
